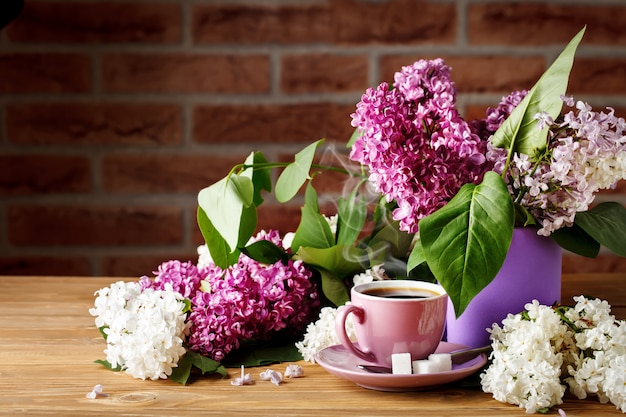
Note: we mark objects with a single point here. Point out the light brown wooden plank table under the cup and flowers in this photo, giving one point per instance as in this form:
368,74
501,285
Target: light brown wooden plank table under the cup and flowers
48,342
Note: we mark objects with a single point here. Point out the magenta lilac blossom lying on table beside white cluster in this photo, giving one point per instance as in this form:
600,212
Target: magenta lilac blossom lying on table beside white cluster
249,301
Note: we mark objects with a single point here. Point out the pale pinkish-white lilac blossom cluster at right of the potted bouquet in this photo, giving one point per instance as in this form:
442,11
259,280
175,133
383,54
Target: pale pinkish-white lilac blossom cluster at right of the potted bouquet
586,153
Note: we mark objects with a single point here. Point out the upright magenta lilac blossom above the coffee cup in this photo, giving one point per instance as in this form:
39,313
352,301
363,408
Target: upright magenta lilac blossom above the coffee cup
418,148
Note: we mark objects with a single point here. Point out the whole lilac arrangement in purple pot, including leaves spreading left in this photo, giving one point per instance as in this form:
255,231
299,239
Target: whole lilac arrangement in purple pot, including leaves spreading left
448,192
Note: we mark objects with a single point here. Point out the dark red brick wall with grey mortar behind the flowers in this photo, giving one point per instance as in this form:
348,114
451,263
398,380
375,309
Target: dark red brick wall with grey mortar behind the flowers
113,114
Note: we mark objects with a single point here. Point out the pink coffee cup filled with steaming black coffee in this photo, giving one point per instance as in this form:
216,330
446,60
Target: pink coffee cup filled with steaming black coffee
394,316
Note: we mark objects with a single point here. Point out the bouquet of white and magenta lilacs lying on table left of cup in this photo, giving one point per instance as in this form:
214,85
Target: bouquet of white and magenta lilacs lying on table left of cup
194,316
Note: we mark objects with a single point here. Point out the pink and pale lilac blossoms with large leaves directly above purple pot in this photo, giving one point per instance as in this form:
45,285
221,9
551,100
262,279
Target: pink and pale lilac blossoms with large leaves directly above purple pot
463,186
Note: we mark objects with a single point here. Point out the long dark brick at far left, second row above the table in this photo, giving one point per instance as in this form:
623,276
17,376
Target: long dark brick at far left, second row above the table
91,225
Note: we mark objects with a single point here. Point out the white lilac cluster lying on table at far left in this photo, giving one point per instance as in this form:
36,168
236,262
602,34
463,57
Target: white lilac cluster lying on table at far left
144,329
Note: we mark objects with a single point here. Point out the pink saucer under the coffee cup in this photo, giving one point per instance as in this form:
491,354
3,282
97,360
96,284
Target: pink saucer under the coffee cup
339,362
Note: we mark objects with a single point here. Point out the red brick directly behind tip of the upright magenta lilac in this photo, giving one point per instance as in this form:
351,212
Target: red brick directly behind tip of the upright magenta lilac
479,74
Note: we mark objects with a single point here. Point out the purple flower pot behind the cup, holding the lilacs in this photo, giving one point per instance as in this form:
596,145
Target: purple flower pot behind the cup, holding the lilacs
531,270
